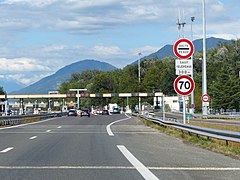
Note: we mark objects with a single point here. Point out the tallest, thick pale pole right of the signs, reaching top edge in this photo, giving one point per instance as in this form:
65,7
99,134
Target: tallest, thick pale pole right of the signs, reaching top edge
204,74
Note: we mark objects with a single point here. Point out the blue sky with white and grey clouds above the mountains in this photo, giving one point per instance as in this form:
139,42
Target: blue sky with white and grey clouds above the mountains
38,37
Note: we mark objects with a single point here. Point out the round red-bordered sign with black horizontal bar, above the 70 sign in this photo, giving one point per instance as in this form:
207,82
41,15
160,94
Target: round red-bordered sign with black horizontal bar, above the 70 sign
183,48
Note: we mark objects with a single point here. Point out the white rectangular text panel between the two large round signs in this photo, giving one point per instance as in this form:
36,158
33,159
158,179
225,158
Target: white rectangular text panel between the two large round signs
183,67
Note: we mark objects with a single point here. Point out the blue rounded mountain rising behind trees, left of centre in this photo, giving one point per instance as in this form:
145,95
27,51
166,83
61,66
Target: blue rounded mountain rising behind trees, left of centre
52,82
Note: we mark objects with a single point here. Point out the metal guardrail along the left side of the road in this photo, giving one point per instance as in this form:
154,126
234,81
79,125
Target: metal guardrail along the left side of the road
15,120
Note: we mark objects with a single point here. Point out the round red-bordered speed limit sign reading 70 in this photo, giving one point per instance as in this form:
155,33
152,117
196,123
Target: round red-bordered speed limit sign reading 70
184,85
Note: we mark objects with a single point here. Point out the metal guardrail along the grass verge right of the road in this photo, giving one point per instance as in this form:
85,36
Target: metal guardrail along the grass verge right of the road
208,132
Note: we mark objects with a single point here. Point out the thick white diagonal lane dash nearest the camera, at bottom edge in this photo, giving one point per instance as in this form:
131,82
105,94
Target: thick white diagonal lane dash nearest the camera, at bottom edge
145,172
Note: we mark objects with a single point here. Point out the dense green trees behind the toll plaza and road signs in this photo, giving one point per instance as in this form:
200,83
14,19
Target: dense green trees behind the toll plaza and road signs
223,82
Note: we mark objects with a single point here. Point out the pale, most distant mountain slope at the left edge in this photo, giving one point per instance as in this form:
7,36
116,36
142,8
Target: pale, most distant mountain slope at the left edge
10,85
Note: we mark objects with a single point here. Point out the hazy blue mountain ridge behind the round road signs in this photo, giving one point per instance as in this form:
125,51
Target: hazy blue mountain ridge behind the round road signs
167,50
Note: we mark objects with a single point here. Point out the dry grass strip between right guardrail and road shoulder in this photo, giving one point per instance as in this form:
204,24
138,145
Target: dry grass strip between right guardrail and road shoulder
232,149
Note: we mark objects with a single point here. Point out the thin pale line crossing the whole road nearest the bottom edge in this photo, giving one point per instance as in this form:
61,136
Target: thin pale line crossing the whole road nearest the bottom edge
124,167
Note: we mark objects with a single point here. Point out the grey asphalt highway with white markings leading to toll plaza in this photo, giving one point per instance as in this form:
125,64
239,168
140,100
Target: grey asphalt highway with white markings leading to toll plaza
104,148
